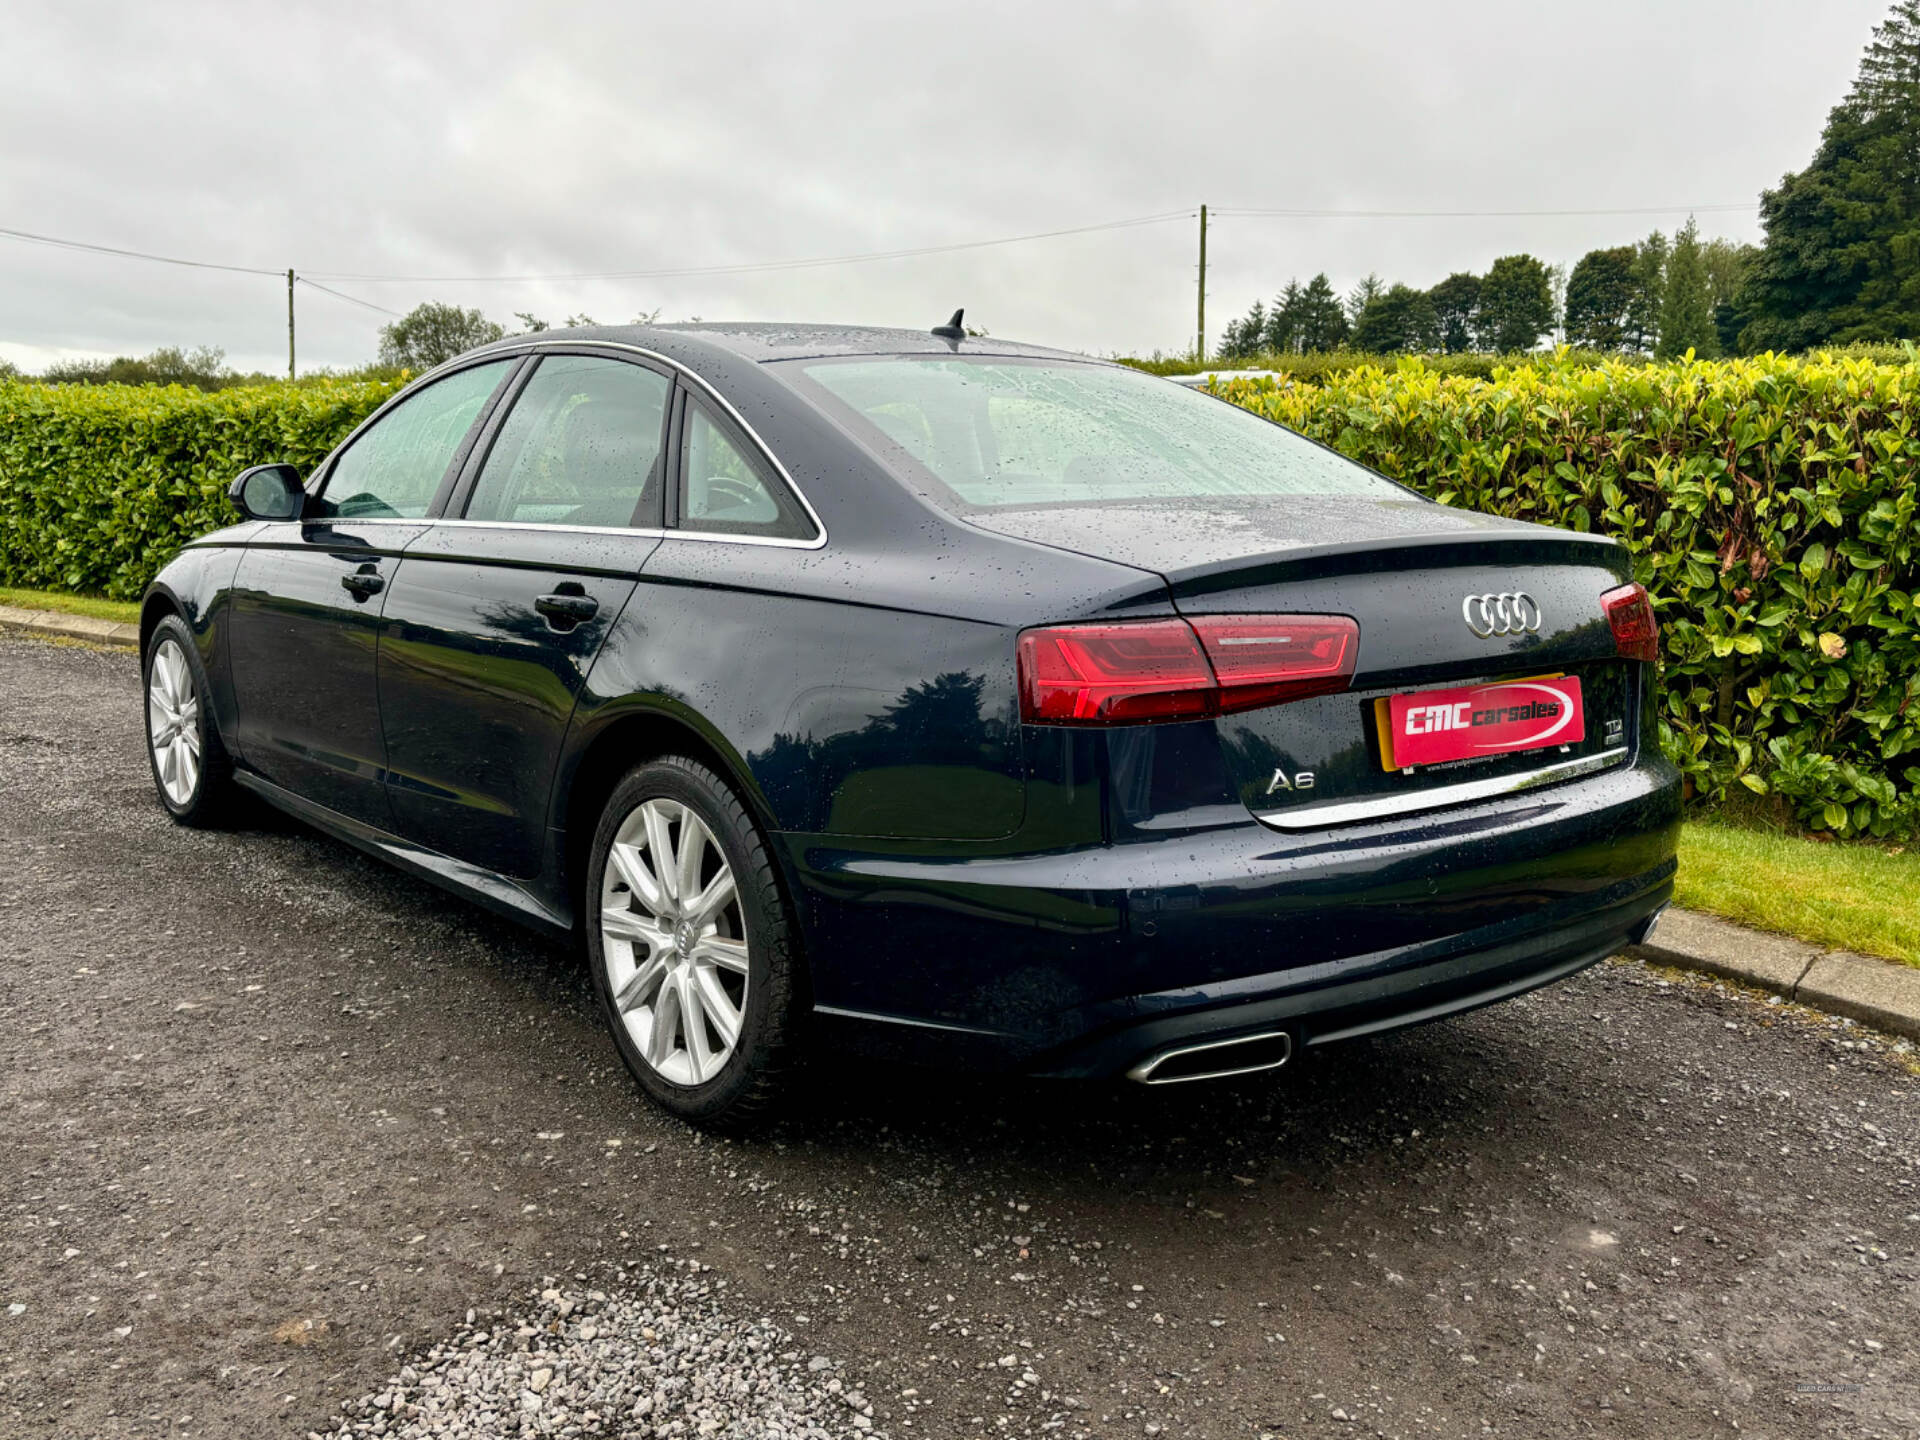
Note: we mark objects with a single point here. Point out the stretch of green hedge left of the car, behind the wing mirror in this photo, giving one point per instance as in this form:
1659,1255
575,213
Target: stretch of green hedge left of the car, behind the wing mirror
103,485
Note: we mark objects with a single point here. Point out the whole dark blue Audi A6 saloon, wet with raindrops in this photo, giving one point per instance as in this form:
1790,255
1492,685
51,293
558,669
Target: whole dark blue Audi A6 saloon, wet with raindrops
930,696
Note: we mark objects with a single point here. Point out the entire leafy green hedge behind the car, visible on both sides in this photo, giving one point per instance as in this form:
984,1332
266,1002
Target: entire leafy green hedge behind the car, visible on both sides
1769,506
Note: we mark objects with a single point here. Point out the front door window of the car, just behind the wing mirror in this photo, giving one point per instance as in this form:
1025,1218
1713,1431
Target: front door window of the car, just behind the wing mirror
396,468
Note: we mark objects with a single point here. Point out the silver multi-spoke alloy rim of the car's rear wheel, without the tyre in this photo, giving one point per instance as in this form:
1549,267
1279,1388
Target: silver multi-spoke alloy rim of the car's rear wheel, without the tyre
675,942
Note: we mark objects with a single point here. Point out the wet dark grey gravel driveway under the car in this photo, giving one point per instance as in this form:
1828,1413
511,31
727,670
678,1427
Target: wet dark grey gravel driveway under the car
291,1143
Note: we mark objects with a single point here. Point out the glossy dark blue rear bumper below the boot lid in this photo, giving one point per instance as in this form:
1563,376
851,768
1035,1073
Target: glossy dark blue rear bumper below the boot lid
1090,961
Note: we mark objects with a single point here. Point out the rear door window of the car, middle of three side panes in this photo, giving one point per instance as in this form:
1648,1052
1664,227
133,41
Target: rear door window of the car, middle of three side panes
581,446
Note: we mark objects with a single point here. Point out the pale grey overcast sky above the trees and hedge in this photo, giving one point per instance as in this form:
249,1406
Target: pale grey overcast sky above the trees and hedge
523,139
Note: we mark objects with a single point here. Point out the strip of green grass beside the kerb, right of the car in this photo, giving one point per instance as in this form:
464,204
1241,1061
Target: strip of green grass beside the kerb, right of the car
1852,898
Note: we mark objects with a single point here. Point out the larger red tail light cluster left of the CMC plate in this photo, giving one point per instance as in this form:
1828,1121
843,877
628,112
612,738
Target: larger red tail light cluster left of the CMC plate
1138,673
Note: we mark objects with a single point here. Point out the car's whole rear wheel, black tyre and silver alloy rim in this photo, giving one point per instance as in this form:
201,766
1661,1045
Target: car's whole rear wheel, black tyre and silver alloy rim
690,944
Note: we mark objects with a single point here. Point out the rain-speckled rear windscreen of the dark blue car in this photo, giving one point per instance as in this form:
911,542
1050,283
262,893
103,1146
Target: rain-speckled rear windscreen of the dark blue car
1011,433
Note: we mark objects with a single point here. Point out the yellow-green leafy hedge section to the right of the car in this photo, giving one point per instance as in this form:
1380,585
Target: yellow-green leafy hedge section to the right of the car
1769,506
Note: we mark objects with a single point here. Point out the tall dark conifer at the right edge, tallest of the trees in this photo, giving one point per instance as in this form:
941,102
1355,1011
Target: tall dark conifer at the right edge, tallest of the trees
1842,256
